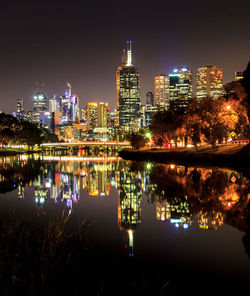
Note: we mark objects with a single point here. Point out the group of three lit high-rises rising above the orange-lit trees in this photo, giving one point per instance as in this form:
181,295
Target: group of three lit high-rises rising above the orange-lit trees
175,89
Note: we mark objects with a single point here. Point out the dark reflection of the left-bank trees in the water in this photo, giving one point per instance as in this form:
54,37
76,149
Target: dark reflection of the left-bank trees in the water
18,173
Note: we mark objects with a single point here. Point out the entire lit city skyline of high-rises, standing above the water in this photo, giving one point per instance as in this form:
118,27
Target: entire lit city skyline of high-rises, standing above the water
173,90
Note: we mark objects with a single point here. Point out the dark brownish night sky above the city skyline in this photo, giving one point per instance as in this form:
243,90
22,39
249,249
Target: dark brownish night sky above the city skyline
52,42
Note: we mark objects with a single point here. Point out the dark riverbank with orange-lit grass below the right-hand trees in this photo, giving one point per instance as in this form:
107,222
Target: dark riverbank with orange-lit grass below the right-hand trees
233,156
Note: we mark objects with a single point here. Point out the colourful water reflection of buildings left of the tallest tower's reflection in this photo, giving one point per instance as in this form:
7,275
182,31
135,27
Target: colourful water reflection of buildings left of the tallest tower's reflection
60,181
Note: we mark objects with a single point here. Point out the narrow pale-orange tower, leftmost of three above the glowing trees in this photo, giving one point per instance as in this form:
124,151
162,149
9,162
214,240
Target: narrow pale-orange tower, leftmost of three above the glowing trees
162,91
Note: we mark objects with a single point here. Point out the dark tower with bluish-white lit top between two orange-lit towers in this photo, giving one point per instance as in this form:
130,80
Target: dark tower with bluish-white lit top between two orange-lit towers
181,88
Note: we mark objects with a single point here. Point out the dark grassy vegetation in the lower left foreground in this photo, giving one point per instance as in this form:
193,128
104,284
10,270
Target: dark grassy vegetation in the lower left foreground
54,259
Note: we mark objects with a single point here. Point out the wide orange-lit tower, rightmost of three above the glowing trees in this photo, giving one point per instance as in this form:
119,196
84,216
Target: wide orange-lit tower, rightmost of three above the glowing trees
209,82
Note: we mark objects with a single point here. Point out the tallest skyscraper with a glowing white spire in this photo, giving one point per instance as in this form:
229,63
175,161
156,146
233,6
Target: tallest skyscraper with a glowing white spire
128,94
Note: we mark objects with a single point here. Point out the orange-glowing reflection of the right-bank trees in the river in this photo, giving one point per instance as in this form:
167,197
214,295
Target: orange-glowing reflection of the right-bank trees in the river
211,193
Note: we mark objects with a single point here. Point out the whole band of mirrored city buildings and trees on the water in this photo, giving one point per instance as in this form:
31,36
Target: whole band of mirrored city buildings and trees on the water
197,197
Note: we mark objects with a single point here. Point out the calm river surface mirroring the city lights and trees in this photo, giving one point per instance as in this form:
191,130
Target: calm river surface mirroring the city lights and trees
185,218
